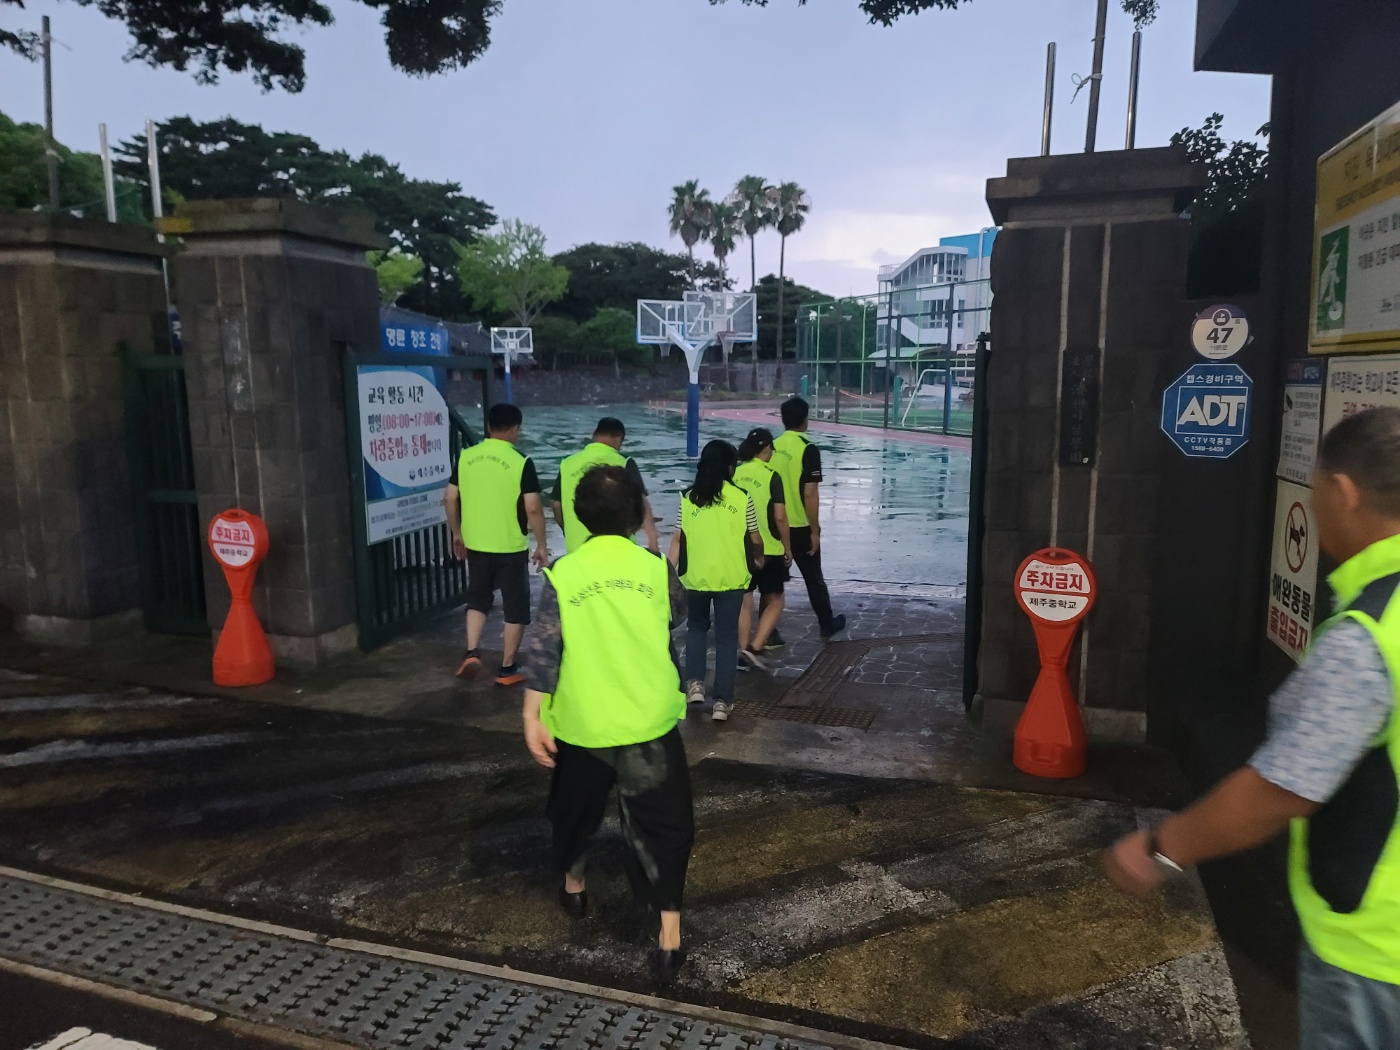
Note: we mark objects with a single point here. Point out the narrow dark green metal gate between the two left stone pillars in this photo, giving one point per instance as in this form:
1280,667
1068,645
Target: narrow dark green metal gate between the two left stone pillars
170,541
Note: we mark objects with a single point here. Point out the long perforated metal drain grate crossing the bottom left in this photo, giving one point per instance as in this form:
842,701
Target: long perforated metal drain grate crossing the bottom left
327,992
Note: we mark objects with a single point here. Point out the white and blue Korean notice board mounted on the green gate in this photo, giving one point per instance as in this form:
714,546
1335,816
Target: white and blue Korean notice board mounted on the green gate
405,439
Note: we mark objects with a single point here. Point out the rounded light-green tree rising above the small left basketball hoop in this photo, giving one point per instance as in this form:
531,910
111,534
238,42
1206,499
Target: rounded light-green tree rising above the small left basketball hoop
510,272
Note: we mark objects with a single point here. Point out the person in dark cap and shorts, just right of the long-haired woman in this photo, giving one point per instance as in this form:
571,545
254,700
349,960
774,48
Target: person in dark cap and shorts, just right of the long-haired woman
765,488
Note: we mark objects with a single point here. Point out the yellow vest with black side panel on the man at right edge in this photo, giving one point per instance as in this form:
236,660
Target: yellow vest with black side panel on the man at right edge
1345,863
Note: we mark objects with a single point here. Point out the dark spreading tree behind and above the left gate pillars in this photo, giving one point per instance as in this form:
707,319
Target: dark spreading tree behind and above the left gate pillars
229,159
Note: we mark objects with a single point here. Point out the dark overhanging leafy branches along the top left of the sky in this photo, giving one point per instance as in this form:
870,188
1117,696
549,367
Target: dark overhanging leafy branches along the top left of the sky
423,37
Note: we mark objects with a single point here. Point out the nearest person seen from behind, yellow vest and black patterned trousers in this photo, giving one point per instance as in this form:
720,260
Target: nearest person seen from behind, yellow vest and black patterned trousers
604,708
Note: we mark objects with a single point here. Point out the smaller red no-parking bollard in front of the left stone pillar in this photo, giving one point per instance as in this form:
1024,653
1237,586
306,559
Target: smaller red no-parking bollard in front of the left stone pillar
243,657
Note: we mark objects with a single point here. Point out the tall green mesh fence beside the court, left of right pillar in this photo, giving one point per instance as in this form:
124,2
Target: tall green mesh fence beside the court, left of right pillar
904,359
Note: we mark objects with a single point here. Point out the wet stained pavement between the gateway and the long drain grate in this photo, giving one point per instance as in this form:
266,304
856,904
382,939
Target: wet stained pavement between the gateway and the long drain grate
916,912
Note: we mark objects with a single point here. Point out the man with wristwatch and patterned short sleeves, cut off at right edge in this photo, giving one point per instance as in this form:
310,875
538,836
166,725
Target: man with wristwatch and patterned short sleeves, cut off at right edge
1331,764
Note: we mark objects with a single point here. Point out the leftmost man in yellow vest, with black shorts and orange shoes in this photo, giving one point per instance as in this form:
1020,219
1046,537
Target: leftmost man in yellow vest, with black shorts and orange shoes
491,503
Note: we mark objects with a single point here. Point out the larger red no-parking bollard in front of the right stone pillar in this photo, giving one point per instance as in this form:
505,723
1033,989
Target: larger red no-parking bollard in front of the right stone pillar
1056,590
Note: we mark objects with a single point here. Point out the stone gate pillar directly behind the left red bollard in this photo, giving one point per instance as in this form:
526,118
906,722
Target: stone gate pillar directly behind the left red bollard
272,293
